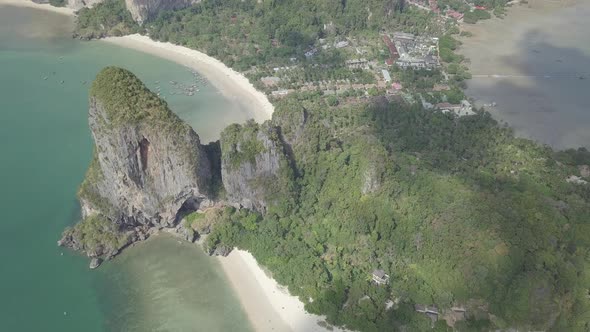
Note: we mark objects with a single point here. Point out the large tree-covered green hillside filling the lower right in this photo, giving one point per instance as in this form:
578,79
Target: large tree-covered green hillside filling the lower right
456,210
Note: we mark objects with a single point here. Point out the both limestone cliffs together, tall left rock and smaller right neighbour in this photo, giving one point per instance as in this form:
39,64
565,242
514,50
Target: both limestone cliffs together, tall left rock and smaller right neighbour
149,169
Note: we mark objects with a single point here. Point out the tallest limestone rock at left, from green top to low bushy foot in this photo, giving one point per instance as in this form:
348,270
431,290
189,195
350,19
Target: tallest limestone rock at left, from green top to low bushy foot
148,164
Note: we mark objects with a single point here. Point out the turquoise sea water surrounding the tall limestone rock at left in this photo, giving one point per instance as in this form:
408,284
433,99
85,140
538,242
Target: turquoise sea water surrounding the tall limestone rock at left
160,285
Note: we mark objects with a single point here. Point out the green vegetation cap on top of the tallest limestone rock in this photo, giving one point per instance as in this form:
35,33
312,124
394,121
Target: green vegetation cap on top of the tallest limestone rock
128,101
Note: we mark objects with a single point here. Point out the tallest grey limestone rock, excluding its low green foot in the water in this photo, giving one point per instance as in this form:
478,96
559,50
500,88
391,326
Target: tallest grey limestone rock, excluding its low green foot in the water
149,169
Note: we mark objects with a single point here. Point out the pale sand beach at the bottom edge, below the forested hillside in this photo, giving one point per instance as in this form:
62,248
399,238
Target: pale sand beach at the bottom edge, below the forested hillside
267,304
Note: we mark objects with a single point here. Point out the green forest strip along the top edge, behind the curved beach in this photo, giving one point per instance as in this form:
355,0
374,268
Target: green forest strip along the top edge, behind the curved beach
246,33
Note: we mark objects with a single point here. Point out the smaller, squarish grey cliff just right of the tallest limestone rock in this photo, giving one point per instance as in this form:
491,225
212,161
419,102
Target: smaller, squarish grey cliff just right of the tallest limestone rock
255,168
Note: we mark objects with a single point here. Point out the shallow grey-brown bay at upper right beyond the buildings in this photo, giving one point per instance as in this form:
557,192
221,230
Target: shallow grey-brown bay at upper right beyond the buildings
535,64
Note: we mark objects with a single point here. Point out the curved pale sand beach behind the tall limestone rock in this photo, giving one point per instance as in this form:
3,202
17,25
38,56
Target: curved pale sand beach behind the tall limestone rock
233,85
